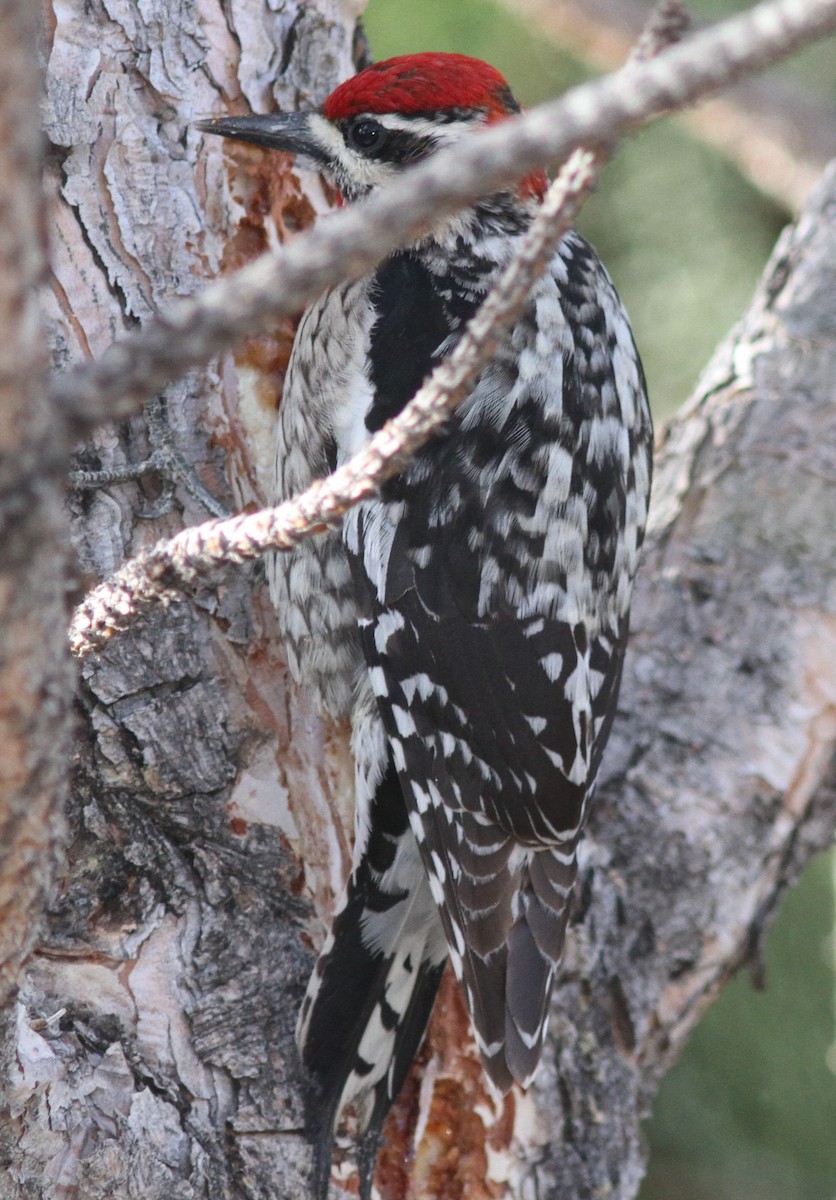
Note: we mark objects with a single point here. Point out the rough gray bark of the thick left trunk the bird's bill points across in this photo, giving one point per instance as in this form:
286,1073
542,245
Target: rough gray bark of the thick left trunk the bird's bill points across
152,1049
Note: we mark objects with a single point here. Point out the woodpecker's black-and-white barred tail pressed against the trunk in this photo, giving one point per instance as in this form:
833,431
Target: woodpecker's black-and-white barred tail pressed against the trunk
374,987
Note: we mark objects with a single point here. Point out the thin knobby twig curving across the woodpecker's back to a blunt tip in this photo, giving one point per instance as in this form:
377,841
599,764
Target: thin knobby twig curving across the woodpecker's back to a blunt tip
172,567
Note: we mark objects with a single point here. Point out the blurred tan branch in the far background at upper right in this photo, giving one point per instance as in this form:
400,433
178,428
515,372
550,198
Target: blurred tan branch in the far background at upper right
773,130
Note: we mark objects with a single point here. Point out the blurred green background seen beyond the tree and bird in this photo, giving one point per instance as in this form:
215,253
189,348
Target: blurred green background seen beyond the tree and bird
750,1111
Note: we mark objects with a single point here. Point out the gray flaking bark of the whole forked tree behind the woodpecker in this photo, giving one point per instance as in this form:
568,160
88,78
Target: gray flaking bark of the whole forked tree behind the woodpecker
149,1052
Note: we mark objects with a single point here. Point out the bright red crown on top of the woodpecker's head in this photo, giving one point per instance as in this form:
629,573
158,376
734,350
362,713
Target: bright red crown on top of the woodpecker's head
423,83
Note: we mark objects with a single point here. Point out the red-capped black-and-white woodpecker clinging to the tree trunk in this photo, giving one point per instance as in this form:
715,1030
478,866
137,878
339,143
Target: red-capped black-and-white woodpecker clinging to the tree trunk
472,621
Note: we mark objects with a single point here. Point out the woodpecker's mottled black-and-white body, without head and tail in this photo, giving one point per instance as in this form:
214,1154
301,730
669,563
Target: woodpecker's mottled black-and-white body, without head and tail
486,591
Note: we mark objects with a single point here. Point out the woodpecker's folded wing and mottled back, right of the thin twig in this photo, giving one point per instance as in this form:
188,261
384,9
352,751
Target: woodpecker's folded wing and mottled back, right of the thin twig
494,583
